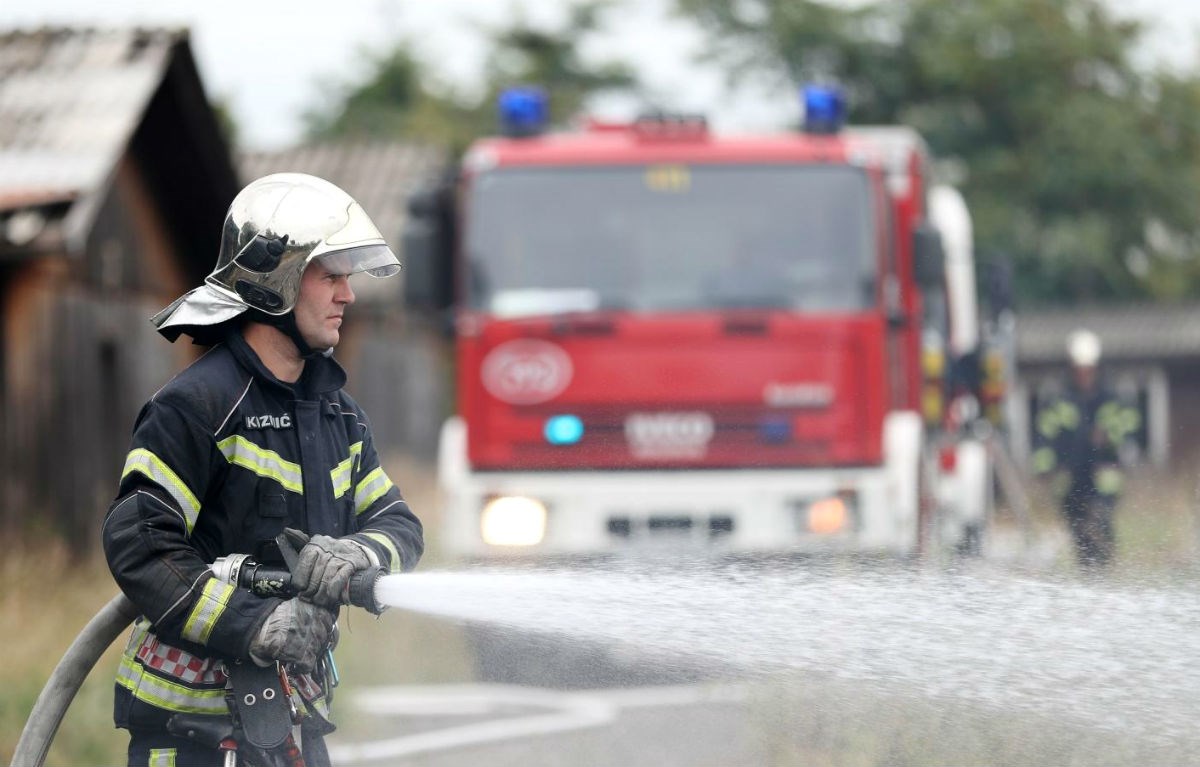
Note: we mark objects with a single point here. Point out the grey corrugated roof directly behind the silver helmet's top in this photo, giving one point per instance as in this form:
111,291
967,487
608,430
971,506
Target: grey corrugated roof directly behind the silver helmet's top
380,176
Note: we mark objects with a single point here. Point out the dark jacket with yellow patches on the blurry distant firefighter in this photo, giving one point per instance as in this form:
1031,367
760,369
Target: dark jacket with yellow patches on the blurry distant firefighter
1081,435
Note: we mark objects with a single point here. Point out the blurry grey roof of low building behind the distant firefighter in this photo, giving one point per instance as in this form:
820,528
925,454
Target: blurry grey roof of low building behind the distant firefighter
1129,333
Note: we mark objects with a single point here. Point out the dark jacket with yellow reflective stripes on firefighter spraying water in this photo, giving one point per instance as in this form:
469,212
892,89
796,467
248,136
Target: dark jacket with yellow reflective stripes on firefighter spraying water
223,459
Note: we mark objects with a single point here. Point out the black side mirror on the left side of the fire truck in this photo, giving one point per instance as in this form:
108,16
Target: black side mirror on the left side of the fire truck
428,253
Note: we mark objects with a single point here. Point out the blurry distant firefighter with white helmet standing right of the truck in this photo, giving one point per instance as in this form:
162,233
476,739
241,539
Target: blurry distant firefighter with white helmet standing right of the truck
1079,439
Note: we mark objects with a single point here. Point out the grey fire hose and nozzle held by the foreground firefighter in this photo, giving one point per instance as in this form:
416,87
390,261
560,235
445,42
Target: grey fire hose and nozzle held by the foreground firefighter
107,625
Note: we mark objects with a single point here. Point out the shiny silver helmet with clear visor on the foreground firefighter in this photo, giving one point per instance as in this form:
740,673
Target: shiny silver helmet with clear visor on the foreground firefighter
274,229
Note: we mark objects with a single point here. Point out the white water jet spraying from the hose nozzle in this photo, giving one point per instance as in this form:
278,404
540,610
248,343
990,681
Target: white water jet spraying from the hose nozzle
1115,657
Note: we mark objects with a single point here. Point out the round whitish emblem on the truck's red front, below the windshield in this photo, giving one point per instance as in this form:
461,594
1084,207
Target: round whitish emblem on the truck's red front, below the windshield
527,371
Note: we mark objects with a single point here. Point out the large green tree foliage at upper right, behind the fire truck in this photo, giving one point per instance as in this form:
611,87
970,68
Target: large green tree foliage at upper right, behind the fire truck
1078,165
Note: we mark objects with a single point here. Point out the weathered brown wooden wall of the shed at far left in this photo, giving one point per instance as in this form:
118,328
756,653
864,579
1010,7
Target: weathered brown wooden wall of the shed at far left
79,367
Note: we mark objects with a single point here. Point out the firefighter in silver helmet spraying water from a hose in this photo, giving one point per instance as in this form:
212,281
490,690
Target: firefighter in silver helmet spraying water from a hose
255,438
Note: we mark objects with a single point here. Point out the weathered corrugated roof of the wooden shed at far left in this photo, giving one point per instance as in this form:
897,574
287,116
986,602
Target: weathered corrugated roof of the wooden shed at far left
70,101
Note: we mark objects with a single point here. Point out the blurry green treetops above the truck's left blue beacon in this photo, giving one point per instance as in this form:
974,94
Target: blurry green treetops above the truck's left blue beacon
400,98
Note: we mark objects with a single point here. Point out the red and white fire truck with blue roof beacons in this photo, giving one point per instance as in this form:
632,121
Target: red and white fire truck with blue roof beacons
667,337
